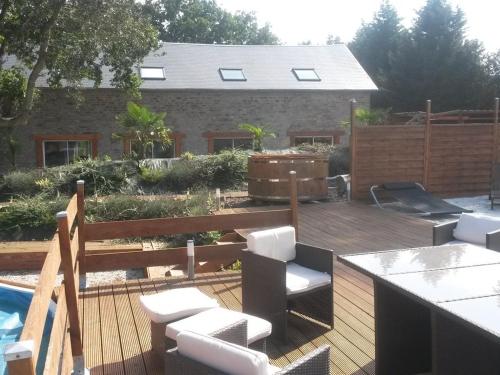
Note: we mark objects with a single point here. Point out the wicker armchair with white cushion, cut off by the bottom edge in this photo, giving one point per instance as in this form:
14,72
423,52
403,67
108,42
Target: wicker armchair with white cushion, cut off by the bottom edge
316,362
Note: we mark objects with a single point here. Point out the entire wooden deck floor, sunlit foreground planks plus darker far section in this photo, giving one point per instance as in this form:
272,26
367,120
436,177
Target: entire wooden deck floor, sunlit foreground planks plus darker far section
116,332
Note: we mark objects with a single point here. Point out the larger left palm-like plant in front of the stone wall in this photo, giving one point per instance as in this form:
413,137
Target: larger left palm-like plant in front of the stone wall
144,127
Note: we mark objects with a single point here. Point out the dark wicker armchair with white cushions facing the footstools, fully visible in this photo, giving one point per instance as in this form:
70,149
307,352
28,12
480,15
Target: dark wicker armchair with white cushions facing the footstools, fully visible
266,290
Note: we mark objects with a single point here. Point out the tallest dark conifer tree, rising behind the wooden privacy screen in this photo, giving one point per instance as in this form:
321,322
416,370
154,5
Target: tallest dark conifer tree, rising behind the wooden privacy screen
438,62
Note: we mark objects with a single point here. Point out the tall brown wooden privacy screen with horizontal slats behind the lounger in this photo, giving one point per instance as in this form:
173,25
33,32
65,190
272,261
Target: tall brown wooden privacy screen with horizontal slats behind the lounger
460,157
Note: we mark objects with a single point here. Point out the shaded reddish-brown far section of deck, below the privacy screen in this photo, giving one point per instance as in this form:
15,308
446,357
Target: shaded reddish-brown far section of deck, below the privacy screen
353,227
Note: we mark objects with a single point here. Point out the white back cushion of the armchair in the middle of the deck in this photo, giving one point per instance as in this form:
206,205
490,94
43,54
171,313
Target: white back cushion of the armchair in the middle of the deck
277,243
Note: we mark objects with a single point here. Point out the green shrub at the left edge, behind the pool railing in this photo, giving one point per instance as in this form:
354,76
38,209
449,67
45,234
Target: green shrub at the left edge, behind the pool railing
30,217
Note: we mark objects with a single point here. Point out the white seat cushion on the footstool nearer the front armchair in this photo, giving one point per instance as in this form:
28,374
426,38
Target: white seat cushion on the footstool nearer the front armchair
210,321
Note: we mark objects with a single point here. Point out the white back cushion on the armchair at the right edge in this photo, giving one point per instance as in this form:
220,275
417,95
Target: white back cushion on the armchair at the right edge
473,227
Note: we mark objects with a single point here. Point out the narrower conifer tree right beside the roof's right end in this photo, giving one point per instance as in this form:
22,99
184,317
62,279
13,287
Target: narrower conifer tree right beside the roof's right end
375,45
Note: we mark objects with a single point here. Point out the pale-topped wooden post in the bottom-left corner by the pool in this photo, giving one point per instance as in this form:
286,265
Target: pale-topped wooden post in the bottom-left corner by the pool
19,358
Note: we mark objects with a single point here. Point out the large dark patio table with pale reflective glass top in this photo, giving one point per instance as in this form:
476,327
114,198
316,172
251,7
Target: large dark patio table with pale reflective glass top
437,309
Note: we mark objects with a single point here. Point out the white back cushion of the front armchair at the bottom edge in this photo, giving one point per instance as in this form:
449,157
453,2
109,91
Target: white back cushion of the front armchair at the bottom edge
222,355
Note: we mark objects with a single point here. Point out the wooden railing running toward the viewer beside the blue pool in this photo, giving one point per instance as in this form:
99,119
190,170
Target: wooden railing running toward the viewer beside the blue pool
65,338
